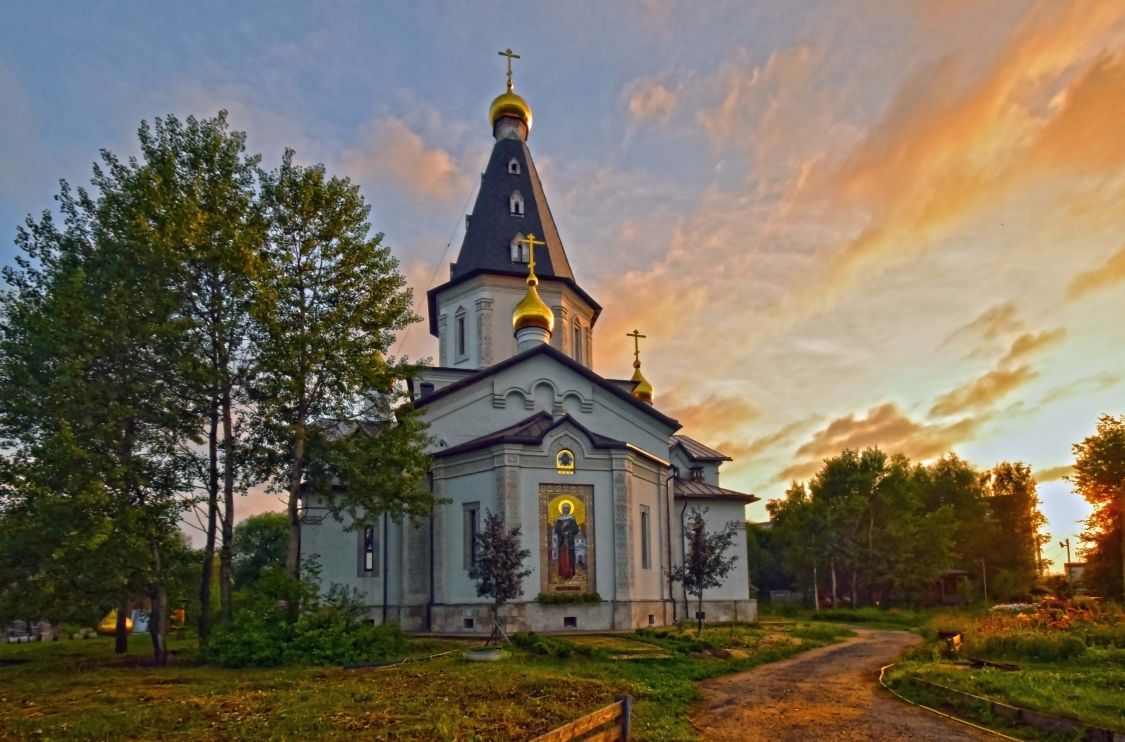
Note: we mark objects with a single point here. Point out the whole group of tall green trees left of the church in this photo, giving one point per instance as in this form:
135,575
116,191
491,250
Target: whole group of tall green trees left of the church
185,292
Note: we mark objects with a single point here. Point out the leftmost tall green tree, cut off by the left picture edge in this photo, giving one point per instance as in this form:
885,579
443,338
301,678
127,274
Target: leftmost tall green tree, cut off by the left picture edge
98,409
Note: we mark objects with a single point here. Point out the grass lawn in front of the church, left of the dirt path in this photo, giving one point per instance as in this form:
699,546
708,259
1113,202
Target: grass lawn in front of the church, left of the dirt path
80,690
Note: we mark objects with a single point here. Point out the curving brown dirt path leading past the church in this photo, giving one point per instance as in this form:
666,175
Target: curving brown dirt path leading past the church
827,694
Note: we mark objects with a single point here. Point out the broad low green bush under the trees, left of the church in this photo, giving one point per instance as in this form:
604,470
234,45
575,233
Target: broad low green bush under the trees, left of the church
322,630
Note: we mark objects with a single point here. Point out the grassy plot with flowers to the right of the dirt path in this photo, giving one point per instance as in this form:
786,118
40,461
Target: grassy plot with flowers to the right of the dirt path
1075,669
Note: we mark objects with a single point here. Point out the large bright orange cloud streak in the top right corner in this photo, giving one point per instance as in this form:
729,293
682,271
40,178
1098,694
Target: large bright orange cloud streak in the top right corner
950,144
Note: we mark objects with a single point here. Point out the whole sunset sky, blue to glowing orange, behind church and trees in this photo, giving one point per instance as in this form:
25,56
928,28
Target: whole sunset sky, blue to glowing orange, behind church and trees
840,224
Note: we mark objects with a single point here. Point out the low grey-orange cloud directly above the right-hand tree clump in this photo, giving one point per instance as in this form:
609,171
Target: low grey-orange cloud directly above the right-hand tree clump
885,427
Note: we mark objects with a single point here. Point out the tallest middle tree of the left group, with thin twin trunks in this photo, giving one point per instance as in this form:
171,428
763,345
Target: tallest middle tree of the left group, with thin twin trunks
200,209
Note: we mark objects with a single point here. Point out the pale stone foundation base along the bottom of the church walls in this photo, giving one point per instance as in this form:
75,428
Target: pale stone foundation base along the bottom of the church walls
474,619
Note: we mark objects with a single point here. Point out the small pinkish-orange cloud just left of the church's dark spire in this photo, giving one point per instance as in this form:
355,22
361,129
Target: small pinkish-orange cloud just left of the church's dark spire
398,155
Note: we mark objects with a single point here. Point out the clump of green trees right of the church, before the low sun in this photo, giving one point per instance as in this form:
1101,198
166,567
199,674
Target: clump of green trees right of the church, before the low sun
875,530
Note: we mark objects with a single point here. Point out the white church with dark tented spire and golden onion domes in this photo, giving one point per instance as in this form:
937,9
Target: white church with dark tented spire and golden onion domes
590,468
